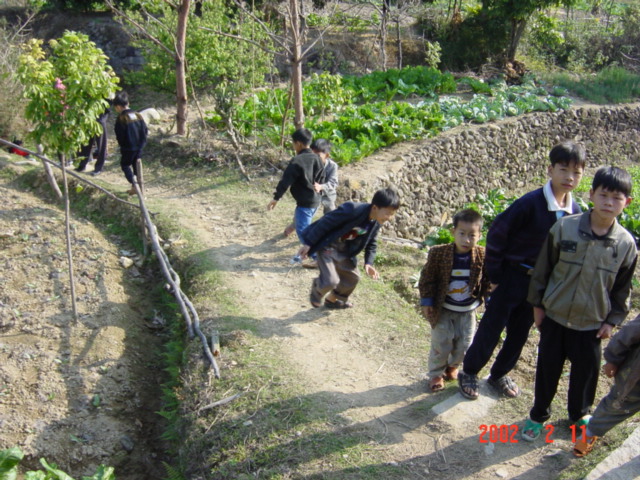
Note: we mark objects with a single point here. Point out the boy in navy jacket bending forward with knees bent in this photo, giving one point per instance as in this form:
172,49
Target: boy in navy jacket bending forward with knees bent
337,238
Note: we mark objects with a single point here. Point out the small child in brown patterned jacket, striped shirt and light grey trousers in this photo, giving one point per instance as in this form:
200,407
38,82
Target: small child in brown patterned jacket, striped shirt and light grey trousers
452,285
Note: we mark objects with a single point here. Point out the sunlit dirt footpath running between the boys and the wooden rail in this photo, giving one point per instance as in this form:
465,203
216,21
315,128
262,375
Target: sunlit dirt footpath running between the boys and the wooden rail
383,395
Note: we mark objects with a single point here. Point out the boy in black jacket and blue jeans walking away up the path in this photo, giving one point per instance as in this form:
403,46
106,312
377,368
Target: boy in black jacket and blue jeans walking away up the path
304,170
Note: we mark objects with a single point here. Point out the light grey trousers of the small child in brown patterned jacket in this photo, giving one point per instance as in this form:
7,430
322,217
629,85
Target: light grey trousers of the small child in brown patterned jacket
450,339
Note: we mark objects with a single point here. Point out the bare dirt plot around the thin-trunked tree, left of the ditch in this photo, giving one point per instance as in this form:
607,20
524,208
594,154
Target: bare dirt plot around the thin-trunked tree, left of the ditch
78,393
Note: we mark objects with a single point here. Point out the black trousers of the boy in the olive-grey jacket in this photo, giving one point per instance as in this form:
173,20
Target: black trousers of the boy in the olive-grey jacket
557,344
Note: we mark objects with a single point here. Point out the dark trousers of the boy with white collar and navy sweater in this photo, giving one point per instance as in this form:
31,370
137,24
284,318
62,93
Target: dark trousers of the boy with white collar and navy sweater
508,308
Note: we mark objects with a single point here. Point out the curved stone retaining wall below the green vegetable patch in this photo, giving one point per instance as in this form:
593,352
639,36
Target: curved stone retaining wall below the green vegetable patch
440,175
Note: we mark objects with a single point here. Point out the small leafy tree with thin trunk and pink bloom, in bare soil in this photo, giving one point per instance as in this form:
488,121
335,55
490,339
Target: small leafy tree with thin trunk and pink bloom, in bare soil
66,91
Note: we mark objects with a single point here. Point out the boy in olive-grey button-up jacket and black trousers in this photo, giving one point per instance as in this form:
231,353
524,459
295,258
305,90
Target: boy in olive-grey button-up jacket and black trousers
580,290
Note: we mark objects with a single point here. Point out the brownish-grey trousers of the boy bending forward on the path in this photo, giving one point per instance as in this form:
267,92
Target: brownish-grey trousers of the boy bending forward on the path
337,272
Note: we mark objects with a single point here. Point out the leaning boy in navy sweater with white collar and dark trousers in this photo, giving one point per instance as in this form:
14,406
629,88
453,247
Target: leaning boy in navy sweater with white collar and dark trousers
513,243
